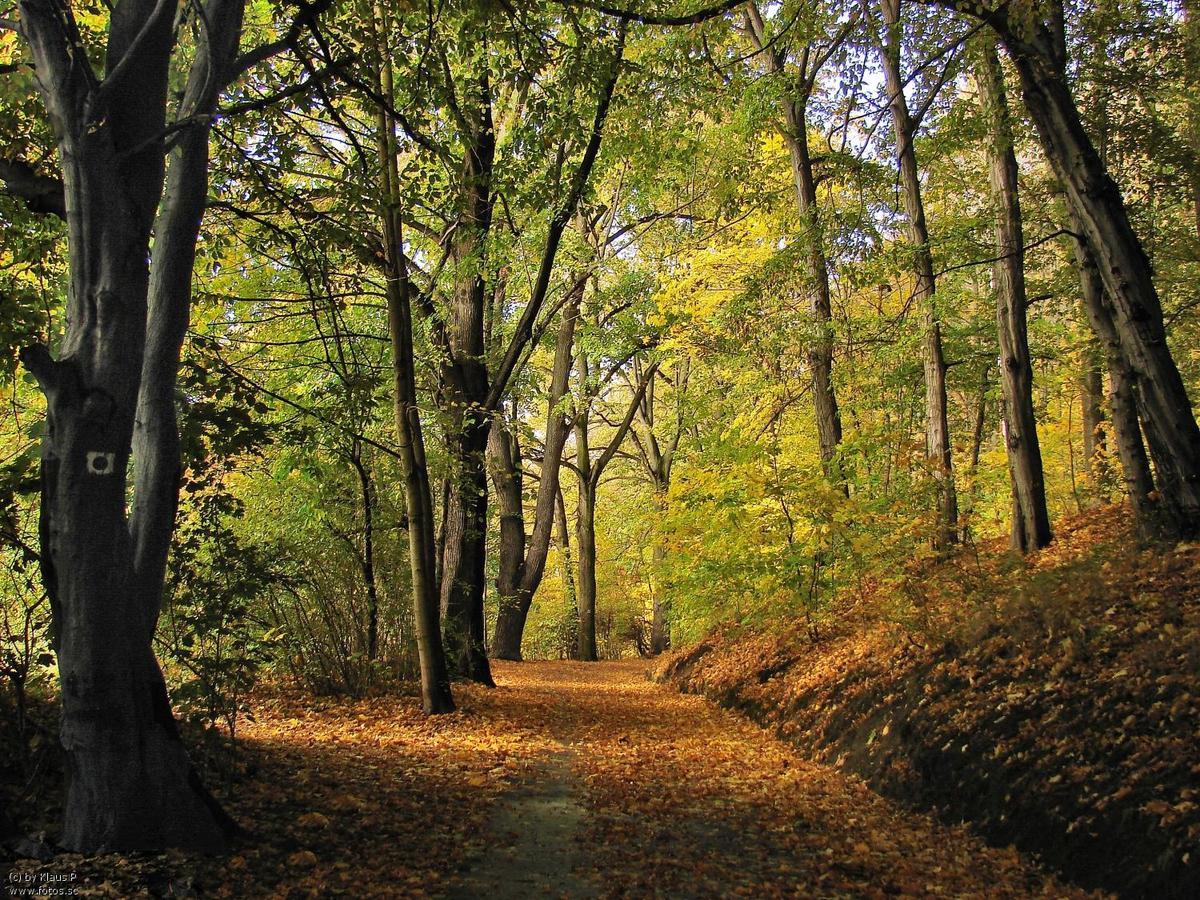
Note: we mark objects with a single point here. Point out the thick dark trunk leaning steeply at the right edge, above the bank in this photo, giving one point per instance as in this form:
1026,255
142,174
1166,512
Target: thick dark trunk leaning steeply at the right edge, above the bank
1100,217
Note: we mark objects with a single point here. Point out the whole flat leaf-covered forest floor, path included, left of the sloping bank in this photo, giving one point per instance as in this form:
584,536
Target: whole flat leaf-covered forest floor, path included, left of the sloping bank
567,781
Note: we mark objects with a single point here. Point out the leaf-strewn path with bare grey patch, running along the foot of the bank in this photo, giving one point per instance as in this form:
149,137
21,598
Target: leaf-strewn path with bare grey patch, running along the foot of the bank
632,790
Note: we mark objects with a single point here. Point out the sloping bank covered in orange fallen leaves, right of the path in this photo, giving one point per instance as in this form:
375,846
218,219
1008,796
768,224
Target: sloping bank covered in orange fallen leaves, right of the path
1054,703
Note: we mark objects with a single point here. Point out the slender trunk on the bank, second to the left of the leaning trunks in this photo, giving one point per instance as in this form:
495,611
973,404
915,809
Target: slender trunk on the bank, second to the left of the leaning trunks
938,430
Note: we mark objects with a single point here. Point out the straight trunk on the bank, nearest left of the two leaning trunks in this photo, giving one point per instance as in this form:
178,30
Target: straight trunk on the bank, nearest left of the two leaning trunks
1009,277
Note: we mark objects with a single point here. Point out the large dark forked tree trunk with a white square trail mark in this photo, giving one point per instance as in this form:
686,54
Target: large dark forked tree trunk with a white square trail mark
111,398
